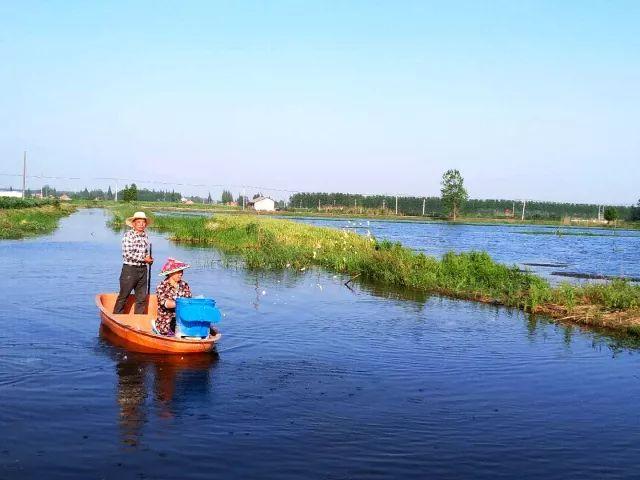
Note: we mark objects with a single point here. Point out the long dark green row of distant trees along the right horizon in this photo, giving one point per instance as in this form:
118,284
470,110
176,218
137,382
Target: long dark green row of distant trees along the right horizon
434,206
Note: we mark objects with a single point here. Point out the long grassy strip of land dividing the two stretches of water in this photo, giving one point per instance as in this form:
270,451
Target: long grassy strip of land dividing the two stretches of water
276,244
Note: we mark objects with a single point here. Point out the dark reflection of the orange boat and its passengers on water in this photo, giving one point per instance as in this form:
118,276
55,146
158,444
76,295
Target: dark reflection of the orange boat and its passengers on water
163,378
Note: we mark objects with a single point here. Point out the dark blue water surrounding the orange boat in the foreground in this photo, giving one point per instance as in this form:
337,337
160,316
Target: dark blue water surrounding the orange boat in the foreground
312,380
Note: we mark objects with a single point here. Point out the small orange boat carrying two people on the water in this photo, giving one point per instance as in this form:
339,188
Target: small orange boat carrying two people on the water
137,332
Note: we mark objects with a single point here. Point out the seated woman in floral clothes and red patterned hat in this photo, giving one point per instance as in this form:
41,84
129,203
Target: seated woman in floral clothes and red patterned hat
169,289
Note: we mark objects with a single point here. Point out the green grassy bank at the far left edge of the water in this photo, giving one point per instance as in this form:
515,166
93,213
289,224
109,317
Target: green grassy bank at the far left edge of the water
26,218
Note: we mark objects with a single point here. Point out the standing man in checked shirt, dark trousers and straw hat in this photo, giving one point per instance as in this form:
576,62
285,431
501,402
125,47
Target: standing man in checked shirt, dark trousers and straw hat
135,257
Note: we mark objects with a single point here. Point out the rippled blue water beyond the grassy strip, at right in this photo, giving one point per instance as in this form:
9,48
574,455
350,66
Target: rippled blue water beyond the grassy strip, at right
599,252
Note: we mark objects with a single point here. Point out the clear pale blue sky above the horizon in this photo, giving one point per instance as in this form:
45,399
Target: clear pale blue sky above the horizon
528,99
